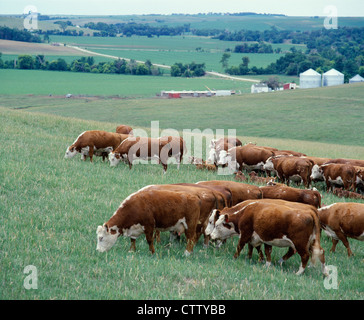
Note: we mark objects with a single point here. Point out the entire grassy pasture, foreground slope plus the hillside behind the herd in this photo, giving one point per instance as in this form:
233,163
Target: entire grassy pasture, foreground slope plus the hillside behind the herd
51,206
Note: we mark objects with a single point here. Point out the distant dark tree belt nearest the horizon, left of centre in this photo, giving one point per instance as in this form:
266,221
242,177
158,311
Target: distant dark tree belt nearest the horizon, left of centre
132,28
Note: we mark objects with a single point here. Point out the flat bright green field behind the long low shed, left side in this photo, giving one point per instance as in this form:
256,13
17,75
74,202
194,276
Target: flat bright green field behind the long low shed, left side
36,82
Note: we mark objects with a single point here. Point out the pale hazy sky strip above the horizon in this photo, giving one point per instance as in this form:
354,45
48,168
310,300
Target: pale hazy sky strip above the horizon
121,7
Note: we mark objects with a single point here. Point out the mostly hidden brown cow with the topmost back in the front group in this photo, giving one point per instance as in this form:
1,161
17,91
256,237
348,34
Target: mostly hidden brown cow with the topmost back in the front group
239,191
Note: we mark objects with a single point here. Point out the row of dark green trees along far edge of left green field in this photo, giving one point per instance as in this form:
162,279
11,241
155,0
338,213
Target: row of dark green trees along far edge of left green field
83,64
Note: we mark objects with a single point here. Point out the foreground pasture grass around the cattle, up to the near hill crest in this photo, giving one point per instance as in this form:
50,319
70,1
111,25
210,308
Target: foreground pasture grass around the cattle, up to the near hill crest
51,208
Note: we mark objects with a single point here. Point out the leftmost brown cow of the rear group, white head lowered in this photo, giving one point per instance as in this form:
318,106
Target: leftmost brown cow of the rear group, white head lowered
95,142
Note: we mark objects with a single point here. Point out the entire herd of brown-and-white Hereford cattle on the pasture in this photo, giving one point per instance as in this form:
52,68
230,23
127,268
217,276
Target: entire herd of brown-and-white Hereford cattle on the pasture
273,214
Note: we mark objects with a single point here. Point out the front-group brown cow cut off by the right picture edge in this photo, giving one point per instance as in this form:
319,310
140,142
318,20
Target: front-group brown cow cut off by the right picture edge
343,220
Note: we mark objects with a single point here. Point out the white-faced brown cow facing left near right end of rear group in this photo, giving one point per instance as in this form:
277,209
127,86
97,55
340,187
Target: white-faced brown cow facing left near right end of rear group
335,174
